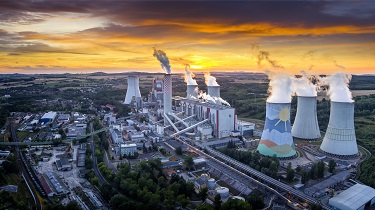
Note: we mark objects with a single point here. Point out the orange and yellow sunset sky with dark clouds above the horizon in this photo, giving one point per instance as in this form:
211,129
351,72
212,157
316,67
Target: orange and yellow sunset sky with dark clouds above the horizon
119,36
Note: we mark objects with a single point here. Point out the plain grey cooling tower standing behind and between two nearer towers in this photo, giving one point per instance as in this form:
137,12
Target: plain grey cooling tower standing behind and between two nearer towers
306,122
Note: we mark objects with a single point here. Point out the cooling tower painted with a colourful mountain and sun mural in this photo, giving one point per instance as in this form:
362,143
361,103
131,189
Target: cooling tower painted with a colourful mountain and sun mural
277,137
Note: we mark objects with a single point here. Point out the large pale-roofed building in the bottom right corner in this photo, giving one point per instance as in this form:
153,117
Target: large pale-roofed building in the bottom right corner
354,198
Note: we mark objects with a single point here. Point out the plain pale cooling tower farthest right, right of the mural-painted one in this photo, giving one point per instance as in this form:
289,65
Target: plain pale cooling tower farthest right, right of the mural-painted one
340,135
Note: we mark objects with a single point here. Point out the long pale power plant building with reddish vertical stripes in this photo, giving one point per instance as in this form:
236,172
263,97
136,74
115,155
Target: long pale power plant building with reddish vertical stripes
222,118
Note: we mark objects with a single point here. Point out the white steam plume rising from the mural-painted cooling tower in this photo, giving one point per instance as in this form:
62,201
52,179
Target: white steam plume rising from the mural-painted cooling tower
280,87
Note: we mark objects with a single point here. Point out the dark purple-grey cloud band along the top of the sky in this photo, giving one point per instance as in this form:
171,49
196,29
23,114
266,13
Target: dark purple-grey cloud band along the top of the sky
280,13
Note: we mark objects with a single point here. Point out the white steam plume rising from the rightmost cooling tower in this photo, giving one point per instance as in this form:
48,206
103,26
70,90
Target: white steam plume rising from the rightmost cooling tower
339,87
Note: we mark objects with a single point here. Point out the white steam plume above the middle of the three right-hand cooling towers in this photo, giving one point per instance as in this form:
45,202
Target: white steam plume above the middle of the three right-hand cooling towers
303,86
